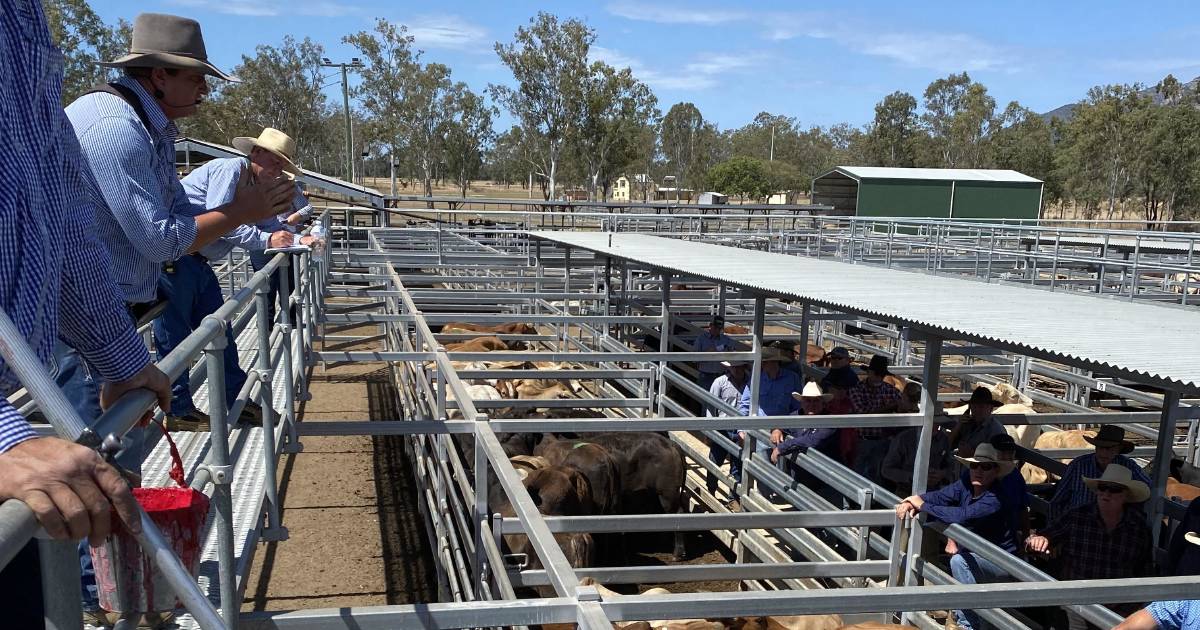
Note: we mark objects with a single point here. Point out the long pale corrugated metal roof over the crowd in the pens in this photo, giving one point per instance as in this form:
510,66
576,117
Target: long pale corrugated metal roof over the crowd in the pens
1151,344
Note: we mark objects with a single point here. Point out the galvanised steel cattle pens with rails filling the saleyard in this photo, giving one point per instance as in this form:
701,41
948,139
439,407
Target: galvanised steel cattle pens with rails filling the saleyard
593,298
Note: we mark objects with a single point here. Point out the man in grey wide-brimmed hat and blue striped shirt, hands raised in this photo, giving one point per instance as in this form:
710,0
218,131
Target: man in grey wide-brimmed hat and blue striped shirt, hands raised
128,135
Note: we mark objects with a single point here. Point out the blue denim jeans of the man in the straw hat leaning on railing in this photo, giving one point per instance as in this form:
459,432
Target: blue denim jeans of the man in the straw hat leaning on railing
194,293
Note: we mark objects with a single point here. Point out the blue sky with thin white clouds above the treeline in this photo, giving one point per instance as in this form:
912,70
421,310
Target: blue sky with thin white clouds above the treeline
736,59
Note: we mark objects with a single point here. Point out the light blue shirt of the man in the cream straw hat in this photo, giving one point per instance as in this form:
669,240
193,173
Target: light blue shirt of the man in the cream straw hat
214,185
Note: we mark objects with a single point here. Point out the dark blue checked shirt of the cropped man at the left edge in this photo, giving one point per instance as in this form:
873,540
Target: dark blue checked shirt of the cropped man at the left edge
56,277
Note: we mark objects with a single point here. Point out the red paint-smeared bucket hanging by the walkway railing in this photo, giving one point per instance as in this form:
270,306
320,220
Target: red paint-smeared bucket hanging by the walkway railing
128,580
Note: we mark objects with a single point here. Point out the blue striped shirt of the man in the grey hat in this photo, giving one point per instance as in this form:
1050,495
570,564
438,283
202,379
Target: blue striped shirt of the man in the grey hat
148,220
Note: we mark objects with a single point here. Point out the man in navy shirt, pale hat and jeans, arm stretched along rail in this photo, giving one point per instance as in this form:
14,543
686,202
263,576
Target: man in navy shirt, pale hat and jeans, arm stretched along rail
974,503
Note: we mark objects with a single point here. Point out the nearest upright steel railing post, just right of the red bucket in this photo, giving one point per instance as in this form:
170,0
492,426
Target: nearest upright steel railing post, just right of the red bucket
223,473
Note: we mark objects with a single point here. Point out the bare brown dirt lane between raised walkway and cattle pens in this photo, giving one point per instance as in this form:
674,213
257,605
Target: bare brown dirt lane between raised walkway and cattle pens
357,537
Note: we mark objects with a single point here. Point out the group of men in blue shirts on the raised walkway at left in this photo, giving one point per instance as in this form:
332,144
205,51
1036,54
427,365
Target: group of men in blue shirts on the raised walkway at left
103,236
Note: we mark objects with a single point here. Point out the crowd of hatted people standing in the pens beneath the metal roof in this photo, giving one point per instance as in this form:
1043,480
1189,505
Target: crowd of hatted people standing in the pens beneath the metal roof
1096,527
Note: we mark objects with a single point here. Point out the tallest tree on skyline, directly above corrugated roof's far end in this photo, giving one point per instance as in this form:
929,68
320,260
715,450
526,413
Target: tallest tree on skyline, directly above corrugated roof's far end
549,62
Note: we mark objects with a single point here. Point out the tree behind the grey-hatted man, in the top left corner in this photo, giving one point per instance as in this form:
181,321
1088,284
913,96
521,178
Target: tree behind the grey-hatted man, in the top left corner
85,40
